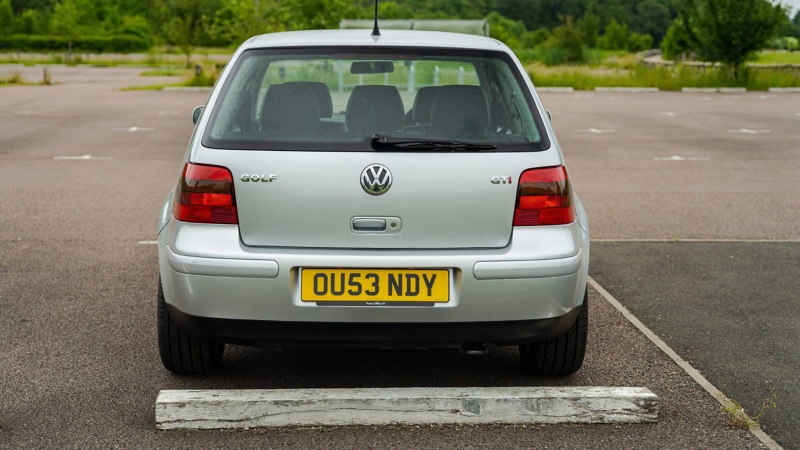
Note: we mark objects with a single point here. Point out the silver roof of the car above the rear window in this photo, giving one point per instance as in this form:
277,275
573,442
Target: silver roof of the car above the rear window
388,38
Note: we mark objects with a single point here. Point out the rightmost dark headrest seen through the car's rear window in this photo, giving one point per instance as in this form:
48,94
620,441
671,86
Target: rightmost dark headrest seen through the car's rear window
460,109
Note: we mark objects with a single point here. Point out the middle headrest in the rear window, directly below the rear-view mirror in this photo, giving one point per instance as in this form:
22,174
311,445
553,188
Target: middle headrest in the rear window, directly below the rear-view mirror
374,109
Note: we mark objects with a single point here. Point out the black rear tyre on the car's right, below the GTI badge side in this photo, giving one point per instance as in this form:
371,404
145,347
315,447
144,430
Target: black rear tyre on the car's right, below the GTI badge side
561,355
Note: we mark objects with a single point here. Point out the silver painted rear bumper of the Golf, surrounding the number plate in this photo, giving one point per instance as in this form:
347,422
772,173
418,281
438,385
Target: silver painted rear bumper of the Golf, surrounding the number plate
207,272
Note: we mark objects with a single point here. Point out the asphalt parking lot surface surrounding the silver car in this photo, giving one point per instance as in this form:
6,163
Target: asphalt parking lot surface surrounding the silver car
77,291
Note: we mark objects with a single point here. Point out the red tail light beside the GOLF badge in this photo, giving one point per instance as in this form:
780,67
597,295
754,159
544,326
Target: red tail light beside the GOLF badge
206,195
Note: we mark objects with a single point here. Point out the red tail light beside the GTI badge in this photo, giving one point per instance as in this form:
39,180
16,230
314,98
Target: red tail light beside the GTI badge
544,198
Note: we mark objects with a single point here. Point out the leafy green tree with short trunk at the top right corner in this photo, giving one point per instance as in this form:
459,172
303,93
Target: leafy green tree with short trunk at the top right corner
727,30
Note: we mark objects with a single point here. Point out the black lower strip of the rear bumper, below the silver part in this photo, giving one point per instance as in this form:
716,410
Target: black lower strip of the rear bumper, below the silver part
266,333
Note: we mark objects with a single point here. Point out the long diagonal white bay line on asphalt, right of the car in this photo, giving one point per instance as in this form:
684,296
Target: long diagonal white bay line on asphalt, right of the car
691,371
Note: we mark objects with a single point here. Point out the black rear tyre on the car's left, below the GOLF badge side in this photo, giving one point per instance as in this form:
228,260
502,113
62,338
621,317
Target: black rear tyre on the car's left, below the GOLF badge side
180,352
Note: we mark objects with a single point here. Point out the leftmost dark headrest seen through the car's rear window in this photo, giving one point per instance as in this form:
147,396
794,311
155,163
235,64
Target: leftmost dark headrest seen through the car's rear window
289,107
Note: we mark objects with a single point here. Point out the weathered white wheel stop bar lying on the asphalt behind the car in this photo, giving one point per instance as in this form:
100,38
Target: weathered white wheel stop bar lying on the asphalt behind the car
216,409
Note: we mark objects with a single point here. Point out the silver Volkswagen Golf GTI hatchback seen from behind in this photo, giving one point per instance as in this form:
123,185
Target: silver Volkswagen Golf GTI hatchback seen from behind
347,190
